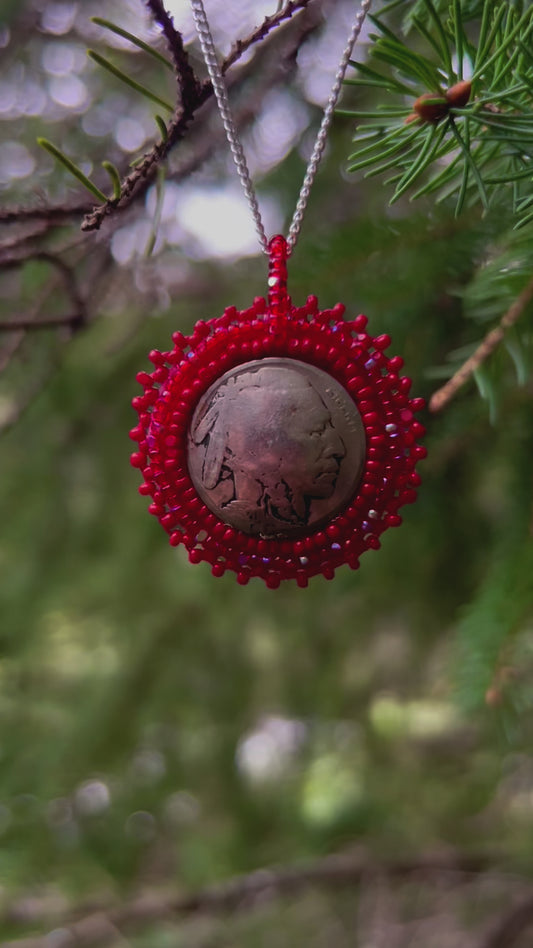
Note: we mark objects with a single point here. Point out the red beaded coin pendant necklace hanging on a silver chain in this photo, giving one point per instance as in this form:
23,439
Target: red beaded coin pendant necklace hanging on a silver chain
277,441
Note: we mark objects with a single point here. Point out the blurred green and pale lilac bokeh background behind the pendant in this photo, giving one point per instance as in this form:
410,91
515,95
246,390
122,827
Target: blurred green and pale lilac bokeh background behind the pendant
161,730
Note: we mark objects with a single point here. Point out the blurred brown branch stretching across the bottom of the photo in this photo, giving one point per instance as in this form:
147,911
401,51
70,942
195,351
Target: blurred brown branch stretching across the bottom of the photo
242,893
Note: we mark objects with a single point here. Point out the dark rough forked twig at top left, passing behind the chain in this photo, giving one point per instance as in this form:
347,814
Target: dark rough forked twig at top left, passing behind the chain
193,96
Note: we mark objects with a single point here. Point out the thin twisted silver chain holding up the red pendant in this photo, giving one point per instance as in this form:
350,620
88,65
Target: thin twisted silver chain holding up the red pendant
219,88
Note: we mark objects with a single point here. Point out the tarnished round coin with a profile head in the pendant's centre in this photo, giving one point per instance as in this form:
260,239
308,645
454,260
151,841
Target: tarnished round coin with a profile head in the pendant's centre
276,447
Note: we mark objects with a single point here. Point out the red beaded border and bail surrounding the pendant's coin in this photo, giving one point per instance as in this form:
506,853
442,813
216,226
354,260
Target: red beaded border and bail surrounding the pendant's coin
321,338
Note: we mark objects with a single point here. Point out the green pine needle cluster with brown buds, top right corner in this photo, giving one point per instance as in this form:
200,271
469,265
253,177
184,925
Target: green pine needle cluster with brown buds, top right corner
485,121
